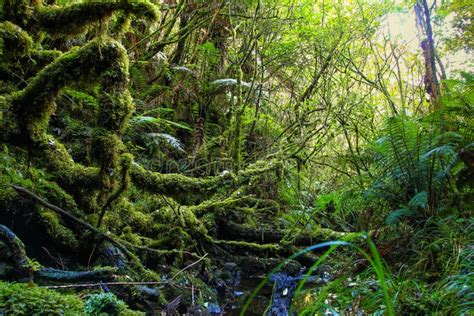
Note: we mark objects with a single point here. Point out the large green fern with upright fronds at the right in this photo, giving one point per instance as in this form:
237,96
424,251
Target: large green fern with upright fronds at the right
414,166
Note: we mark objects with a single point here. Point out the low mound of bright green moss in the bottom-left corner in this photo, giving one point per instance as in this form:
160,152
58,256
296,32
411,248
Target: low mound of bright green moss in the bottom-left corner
29,299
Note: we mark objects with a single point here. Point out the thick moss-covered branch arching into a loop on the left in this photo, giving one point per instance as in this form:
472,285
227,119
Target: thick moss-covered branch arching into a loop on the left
105,61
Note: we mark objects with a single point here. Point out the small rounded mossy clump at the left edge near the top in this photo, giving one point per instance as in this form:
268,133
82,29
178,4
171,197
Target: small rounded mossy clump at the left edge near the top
14,42
